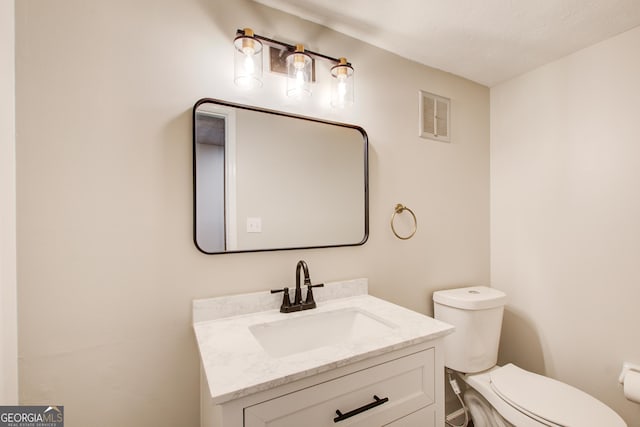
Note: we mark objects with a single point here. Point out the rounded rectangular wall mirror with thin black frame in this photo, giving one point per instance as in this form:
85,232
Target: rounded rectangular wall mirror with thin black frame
267,180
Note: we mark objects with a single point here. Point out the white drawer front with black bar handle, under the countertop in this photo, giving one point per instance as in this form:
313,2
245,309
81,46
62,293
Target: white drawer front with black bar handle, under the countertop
407,383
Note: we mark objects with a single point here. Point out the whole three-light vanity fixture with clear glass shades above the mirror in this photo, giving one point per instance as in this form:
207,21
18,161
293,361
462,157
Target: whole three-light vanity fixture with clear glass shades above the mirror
248,68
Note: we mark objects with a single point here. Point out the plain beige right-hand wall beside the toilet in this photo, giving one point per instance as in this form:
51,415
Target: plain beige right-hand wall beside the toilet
565,217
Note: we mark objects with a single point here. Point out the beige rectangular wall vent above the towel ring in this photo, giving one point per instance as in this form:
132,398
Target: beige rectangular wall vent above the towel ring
435,117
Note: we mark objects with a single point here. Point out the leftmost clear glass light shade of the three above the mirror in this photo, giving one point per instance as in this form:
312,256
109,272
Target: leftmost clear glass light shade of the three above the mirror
248,61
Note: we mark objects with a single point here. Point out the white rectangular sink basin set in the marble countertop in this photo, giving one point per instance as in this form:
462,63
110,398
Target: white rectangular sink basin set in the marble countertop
307,332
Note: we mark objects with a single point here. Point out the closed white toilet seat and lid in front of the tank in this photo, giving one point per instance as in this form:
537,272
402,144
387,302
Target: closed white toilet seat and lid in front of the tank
548,401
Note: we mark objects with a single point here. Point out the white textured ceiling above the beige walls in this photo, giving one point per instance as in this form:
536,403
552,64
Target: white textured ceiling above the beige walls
487,41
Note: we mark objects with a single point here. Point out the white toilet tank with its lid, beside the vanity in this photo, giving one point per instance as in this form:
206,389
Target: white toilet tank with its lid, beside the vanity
476,312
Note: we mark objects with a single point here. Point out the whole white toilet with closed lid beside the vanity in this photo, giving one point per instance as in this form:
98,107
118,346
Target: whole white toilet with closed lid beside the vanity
507,395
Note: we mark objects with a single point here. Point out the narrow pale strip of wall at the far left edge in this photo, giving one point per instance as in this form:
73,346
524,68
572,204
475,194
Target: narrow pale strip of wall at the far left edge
8,315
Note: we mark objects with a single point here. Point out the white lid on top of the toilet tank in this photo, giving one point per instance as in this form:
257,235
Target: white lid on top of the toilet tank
471,298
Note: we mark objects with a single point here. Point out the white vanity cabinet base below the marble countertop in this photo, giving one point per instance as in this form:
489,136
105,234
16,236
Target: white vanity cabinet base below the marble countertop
407,385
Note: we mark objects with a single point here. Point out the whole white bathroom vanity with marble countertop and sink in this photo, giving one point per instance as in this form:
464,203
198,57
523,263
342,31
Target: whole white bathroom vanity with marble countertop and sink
355,360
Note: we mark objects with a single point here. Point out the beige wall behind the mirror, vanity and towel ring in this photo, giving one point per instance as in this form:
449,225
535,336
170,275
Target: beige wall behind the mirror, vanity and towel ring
107,266
